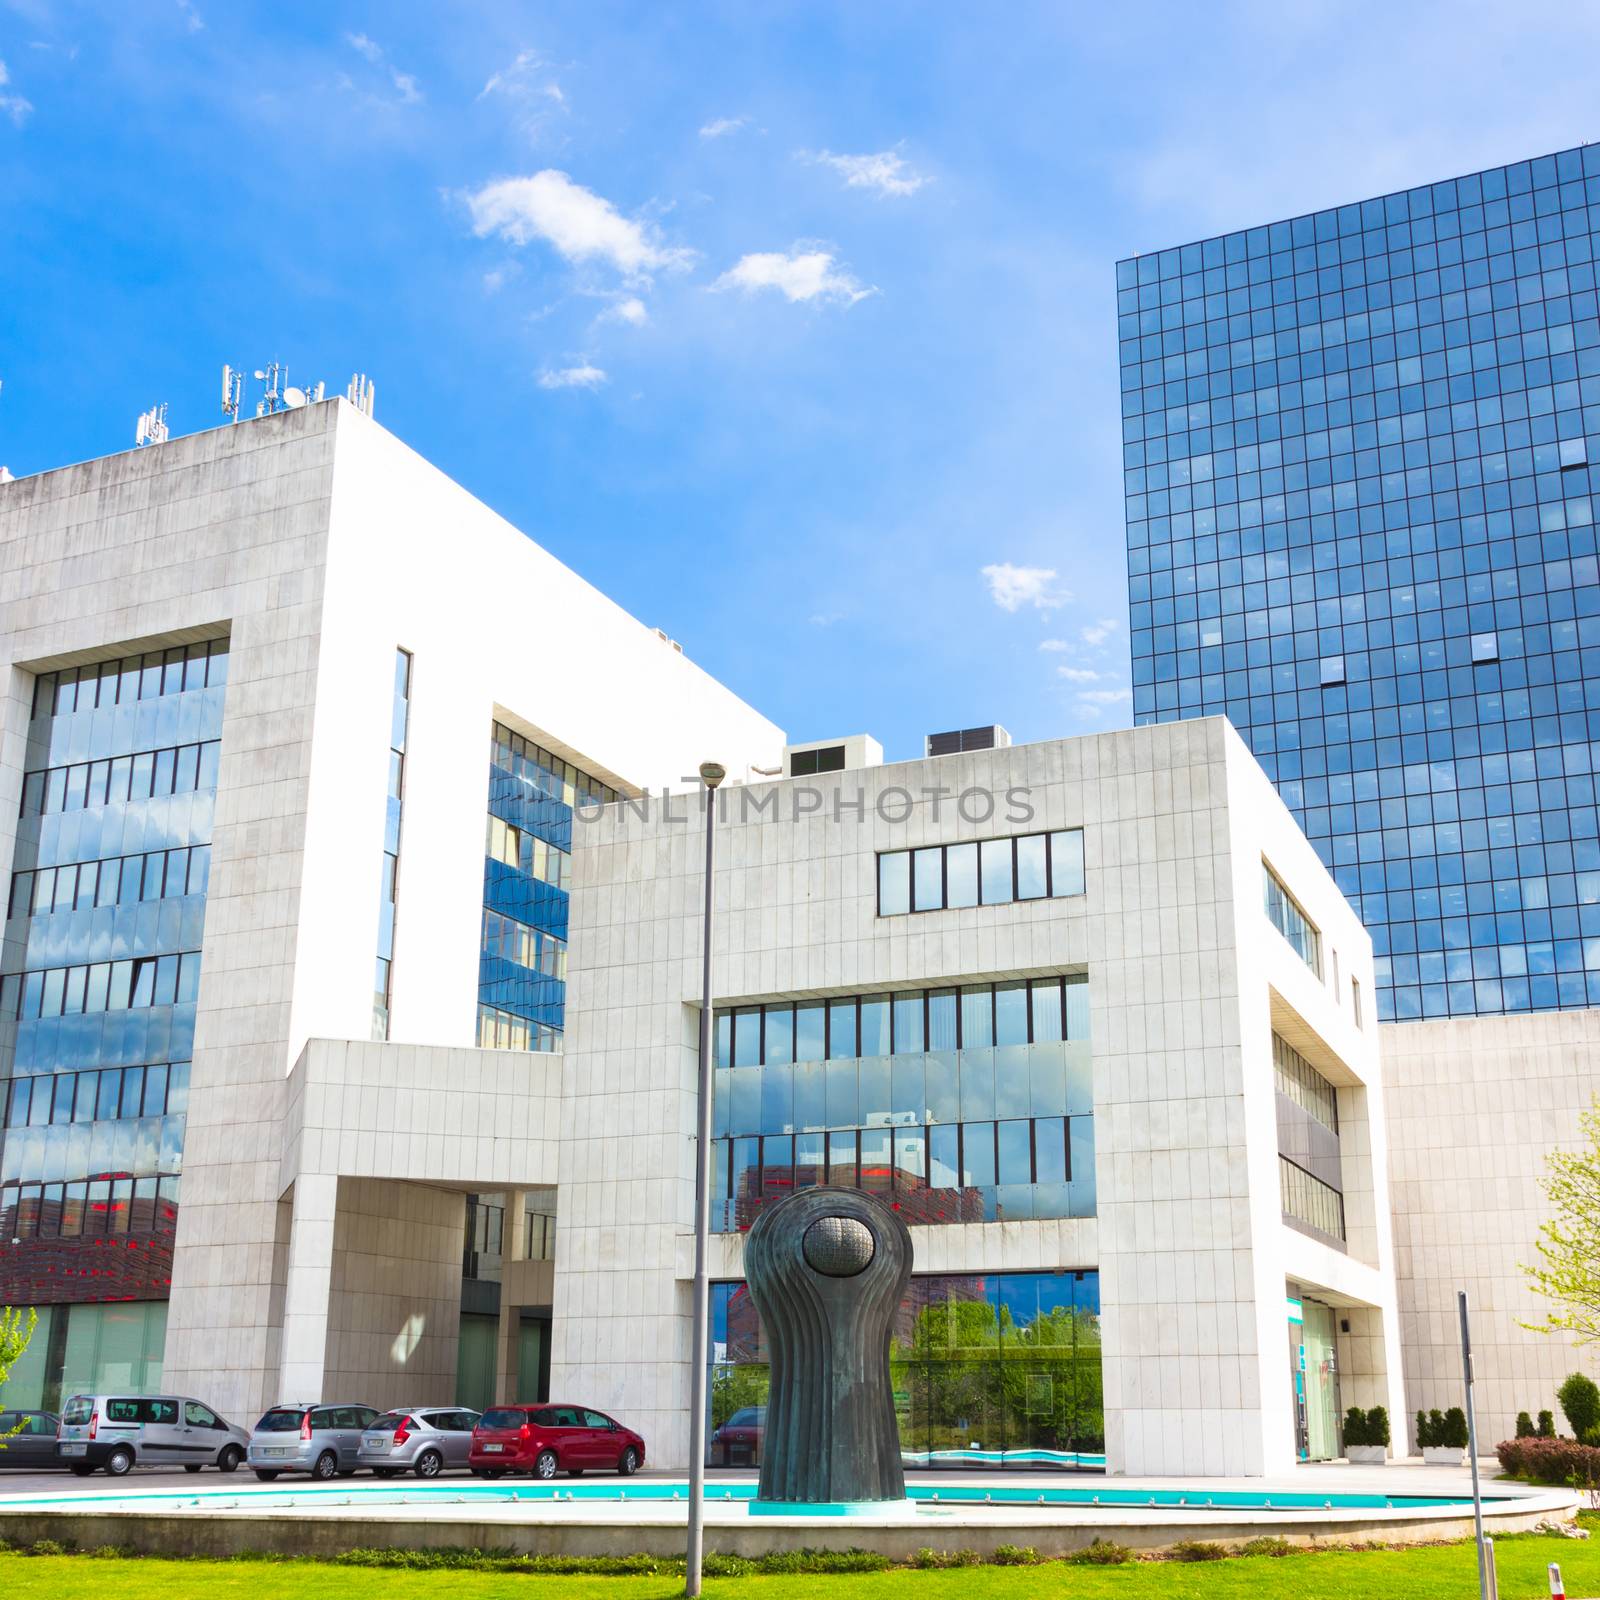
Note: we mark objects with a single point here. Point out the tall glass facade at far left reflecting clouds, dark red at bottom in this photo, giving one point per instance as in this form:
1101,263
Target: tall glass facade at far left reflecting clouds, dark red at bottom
102,972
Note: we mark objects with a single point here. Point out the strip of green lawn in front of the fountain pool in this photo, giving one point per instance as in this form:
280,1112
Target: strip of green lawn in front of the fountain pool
1415,1575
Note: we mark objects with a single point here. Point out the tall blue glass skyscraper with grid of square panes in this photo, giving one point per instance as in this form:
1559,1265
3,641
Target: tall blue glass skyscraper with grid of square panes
1358,471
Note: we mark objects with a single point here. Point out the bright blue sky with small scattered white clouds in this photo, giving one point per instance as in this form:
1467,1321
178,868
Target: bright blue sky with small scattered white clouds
793,327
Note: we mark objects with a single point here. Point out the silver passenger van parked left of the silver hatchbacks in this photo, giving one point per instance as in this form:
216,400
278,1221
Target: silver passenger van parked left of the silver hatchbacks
121,1433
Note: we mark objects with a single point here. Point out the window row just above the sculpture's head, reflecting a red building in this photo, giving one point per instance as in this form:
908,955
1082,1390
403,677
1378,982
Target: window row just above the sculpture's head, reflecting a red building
1044,1167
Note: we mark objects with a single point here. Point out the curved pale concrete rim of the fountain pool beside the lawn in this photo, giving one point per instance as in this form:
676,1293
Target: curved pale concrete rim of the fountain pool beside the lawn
271,1522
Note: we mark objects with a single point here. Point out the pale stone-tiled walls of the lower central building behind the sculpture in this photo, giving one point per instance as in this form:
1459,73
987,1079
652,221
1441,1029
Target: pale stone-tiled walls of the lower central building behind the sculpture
1185,980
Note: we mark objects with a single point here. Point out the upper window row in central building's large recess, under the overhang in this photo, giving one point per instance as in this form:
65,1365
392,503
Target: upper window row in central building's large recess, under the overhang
910,1022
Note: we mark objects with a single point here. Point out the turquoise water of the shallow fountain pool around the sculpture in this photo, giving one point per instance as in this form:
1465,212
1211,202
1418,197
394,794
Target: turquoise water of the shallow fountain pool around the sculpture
473,1492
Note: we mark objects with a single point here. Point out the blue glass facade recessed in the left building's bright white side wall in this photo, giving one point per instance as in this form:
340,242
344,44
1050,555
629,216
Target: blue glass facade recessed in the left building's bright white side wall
522,962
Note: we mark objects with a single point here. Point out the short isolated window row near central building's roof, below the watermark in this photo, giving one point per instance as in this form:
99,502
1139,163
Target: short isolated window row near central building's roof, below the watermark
990,873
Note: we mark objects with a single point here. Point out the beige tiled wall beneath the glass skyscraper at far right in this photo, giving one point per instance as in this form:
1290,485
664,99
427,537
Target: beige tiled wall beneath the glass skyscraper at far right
1474,1108
